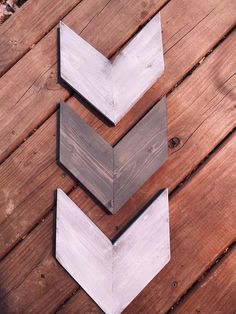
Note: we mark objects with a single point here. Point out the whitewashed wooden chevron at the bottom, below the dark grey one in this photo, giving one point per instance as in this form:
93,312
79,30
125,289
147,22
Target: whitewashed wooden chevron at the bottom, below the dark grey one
113,273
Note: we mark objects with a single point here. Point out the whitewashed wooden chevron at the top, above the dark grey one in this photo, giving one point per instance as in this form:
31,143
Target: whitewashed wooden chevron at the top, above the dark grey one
112,86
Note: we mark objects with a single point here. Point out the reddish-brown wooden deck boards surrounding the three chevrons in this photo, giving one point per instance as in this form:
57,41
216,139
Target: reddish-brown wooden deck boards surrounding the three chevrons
200,82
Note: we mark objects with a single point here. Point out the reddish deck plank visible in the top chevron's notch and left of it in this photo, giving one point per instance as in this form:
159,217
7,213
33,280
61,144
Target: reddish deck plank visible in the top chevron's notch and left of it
27,103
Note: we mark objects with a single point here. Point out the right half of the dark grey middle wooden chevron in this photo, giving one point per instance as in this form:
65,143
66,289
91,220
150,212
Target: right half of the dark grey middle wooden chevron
140,153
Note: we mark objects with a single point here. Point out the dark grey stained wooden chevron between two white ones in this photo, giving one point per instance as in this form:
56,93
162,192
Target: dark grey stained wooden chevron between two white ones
113,174
